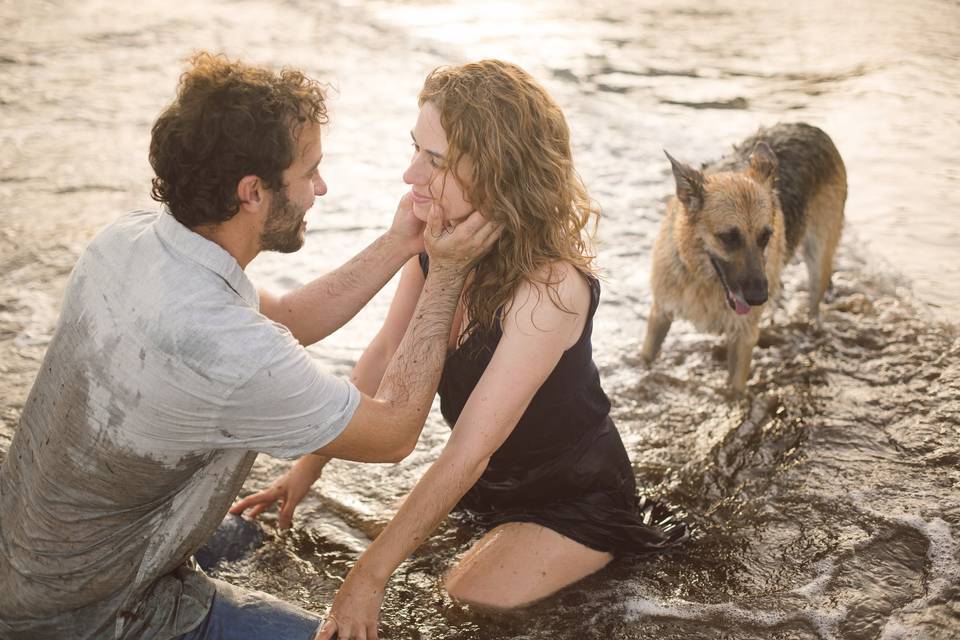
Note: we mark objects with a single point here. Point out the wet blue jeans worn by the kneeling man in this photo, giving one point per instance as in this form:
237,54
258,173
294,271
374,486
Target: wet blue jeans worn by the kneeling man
240,614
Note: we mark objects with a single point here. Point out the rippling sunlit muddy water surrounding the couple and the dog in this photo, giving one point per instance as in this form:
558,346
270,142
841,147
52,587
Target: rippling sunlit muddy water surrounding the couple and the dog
826,503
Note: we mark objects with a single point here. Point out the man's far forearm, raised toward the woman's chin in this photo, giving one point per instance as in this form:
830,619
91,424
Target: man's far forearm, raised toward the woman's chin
322,306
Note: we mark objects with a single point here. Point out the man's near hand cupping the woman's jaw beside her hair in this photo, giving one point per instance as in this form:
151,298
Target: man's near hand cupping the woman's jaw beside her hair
458,245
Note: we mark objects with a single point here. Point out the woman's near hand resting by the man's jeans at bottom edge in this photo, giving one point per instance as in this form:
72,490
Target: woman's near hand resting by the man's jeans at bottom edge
356,608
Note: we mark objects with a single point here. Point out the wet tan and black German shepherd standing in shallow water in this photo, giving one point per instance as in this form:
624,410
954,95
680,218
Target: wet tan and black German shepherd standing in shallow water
733,226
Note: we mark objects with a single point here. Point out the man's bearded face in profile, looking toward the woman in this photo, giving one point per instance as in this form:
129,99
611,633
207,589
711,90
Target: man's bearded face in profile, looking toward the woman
284,228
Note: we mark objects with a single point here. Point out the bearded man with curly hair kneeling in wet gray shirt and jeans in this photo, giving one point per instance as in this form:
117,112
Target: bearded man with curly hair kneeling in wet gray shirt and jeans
167,372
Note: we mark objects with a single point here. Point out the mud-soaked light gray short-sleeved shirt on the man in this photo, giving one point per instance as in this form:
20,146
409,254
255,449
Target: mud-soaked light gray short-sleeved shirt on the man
160,384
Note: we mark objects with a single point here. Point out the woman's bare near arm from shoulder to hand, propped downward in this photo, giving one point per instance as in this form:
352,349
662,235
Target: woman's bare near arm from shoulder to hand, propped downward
536,333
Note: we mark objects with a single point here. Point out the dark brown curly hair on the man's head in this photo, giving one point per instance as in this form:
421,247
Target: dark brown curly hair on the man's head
229,120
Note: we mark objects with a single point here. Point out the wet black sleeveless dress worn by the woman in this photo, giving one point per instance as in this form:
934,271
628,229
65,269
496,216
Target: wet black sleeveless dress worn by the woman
564,466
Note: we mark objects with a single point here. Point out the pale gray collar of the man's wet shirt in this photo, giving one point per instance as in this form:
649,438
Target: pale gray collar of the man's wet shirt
207,254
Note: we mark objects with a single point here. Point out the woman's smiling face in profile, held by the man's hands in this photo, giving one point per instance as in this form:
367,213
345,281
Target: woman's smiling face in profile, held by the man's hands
430,178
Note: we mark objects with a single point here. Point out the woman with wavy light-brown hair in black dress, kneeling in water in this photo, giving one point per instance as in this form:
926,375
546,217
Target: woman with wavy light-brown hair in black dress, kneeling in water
533,451
